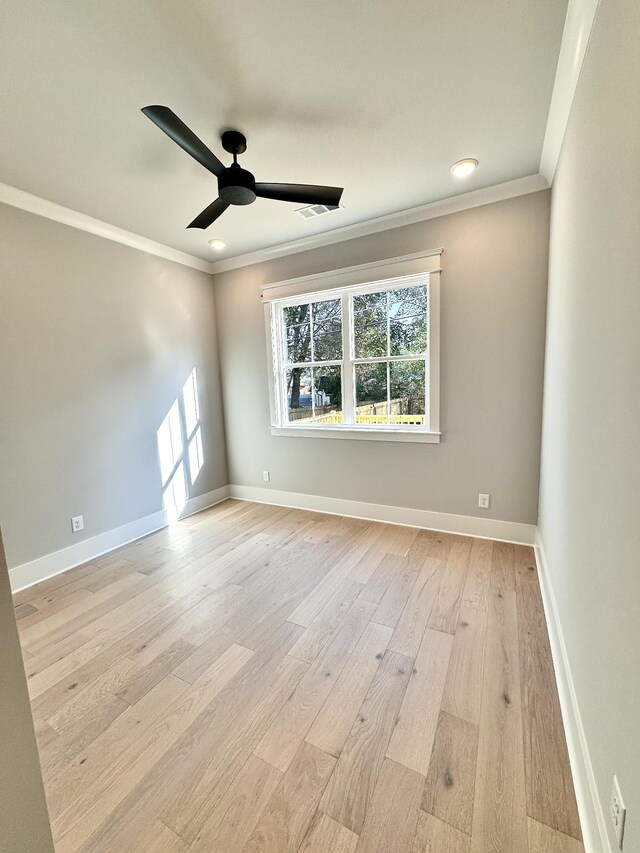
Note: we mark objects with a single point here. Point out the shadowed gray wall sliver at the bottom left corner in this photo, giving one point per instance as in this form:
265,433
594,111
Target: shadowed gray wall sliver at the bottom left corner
24,821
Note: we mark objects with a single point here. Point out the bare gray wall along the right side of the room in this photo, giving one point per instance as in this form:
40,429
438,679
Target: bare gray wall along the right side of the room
590,484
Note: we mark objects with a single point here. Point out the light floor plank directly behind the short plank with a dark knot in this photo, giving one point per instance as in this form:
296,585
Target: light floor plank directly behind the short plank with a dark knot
463,687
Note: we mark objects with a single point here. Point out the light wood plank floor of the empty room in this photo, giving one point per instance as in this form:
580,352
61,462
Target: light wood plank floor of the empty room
264,679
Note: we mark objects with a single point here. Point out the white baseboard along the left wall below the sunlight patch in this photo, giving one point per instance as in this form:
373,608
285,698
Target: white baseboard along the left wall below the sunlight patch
89,549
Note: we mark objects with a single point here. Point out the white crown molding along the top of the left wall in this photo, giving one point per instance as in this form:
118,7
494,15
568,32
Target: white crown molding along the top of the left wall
50,210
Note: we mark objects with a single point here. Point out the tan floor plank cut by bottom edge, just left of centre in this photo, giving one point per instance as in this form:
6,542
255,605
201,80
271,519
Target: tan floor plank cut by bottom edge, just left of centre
287,816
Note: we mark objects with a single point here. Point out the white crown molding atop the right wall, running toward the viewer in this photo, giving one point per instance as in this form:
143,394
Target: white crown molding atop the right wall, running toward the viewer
575,40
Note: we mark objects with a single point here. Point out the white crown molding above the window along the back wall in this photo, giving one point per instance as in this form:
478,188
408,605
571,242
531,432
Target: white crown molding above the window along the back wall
455,204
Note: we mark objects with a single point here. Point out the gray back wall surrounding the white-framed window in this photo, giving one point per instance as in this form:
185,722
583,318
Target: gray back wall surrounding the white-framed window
493,299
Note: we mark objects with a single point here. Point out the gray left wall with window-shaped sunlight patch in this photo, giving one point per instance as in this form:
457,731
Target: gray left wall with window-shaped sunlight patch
96,340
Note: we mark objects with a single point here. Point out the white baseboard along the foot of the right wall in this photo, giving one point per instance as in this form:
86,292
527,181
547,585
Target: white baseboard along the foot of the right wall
592,820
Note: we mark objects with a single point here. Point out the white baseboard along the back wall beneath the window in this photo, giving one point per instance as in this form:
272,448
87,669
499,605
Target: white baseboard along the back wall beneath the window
466,525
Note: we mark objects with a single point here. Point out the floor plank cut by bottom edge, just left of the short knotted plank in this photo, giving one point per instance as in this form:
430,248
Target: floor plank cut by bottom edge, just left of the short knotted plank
392,818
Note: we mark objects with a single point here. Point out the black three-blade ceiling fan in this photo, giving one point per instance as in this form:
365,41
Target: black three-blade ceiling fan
235,184
